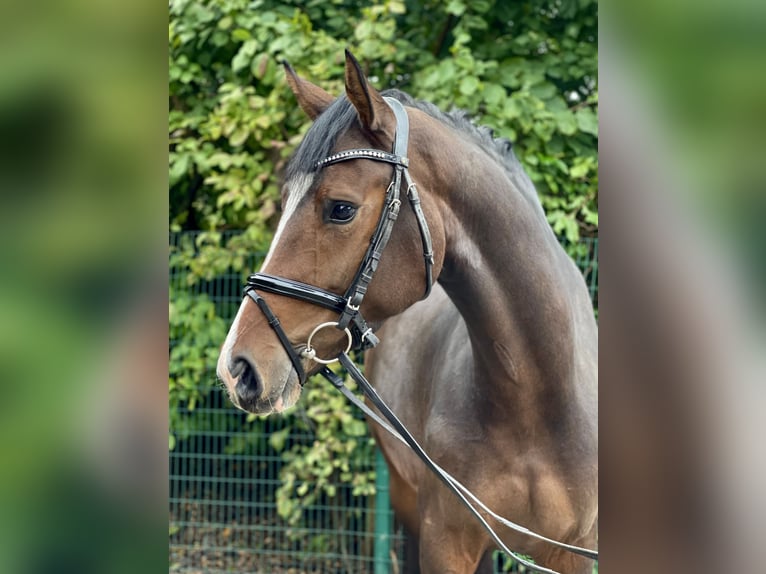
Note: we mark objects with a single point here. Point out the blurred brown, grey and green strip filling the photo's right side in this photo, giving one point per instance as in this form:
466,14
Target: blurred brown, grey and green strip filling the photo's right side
682,315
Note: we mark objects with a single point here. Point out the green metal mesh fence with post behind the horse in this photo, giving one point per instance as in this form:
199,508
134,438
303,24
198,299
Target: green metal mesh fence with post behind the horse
225,472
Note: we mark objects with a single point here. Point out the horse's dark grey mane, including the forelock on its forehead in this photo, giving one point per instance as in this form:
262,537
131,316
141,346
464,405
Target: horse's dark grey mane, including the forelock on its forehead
320,139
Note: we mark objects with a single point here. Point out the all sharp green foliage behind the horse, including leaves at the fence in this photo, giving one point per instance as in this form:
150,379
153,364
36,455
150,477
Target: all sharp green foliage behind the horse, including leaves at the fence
528,70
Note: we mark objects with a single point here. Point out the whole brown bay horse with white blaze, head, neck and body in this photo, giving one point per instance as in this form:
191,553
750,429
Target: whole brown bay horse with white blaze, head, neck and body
495,372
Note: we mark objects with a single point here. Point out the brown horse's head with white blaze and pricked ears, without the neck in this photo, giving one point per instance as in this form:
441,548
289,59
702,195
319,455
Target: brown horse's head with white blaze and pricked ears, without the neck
329,214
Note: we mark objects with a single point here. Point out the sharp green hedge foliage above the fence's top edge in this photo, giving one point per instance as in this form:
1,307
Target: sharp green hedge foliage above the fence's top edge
527,70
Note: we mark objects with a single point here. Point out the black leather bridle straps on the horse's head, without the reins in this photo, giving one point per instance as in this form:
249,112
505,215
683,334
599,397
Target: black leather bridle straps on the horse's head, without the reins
350,319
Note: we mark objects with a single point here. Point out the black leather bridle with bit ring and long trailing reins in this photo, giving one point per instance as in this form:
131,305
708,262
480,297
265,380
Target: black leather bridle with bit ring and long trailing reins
360,335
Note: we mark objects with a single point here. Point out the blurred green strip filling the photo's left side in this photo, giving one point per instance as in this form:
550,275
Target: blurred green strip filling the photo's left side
83,314
